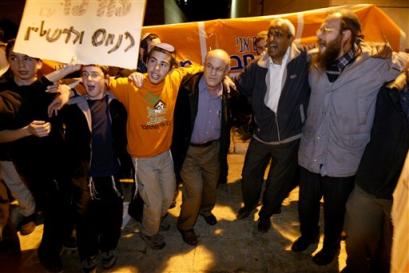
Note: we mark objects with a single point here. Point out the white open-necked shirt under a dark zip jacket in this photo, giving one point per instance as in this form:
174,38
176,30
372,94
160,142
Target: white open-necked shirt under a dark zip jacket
274,78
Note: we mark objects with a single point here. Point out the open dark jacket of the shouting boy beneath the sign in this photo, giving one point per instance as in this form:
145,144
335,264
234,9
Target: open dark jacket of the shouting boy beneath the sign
76,118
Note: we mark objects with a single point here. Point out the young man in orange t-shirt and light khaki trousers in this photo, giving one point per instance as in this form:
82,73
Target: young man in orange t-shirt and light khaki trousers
149,129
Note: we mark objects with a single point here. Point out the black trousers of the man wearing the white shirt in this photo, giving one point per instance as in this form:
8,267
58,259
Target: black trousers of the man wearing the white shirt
282,177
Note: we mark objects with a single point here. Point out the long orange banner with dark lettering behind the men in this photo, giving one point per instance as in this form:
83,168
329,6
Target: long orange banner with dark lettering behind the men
236,36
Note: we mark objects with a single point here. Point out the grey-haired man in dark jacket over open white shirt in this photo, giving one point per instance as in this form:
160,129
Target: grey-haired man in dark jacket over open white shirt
277,88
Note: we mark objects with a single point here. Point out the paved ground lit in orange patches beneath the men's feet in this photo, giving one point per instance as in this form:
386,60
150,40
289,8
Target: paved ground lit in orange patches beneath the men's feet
231,246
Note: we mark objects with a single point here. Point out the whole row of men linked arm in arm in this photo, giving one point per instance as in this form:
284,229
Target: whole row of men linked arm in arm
335,122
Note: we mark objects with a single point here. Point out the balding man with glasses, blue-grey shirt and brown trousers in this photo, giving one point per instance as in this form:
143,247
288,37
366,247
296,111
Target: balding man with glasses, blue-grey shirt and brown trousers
200,137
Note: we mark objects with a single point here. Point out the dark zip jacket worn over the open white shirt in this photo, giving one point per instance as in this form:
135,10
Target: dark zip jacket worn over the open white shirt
286,125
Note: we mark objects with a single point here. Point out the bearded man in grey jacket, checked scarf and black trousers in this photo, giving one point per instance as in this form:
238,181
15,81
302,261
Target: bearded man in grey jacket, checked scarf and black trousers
344,81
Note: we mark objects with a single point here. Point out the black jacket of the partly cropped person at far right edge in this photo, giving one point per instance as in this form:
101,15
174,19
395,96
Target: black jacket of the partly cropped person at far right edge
384,155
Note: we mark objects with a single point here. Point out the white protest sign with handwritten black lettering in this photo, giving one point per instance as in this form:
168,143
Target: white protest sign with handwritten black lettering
105,32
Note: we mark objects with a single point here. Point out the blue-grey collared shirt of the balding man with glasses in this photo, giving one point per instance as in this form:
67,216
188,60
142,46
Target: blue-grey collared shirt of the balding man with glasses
208,119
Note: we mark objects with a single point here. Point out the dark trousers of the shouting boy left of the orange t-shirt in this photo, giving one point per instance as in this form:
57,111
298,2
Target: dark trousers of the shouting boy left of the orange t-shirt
99,218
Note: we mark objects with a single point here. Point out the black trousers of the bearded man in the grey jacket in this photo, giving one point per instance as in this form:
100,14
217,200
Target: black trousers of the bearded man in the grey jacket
335,191
